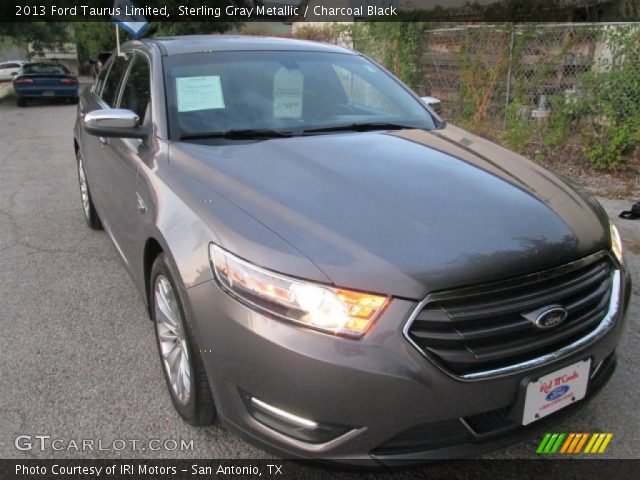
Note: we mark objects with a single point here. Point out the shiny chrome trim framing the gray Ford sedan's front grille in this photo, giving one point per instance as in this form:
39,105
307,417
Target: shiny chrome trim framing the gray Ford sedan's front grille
605,325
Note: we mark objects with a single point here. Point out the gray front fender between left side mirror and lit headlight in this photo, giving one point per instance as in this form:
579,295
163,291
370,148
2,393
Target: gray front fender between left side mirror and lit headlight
184,217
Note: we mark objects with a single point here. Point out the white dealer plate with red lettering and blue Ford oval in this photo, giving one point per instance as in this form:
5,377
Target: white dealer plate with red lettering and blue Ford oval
556,390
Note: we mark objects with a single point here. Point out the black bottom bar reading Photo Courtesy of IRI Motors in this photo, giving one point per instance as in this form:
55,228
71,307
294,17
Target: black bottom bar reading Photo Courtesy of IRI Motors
285,470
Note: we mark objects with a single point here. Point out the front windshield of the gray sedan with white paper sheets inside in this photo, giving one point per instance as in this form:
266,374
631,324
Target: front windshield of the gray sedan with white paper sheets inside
283,92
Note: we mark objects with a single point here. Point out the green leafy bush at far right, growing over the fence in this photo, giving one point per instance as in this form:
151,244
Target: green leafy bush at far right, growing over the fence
600,118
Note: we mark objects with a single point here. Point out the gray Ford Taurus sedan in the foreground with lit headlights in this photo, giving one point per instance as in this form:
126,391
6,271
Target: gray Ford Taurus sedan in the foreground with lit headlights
332,270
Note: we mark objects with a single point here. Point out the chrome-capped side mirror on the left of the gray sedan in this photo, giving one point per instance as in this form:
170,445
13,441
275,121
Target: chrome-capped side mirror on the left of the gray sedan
114,122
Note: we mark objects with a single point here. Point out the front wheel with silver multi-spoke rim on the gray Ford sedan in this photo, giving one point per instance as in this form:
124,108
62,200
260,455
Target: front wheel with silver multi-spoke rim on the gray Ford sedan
194,401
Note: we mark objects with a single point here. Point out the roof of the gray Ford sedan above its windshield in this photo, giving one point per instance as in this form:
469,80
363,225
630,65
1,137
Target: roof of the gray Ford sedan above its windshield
224,43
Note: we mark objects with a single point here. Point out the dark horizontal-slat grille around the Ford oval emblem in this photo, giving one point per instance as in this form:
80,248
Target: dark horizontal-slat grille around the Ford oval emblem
475,330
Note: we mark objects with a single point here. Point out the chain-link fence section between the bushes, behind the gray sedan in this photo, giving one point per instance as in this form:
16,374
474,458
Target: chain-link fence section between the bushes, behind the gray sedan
478,70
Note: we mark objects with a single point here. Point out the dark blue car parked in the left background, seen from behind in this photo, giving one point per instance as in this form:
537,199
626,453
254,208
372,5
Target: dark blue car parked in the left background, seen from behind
45,80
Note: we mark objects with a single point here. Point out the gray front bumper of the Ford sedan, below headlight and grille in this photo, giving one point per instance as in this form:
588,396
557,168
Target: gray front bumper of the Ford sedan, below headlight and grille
390,405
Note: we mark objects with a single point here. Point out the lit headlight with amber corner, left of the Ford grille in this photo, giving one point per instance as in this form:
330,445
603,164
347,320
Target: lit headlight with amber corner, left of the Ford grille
331,310
